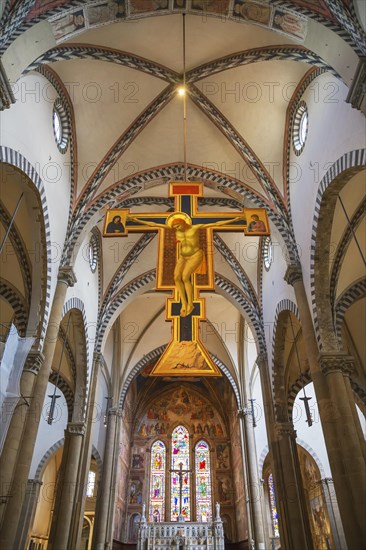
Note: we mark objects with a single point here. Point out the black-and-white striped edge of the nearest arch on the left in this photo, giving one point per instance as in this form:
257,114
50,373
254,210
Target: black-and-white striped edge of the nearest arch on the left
9,156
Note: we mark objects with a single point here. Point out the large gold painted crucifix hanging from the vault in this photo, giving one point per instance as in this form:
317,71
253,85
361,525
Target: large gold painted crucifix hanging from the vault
185,266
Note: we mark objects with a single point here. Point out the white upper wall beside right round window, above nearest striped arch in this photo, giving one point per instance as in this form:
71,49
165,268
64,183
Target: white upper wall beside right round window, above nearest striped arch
335,128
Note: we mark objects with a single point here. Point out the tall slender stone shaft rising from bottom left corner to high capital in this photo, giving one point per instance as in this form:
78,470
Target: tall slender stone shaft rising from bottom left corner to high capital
25,452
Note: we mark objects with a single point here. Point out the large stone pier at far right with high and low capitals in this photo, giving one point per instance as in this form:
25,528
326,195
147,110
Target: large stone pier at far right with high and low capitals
337,422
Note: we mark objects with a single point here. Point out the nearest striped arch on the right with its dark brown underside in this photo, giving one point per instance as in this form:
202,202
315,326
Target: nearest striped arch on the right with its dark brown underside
336,177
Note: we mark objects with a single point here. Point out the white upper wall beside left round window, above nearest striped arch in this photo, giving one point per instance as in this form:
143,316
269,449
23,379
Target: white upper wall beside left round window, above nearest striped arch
33,113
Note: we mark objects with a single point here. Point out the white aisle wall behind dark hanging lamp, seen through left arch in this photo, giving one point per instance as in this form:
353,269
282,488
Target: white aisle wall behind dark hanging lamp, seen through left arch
48,435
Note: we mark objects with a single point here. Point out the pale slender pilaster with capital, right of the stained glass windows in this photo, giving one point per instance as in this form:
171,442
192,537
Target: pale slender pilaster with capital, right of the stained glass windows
253,486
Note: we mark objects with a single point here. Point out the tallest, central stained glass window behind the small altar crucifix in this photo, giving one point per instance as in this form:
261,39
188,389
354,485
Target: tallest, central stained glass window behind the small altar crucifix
180,455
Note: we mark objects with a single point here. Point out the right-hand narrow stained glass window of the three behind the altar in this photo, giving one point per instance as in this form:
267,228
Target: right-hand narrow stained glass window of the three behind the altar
203,482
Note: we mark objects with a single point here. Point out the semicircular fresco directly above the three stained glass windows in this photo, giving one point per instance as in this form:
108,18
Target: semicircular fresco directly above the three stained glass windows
181,406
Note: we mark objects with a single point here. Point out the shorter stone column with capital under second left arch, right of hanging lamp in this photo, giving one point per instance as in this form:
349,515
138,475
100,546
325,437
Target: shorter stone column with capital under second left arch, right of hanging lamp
66,487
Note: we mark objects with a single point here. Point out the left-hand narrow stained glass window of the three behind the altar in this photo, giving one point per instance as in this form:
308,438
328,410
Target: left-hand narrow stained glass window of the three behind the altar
157,482
